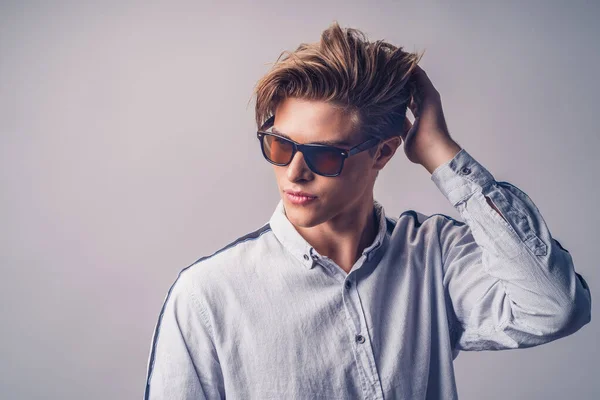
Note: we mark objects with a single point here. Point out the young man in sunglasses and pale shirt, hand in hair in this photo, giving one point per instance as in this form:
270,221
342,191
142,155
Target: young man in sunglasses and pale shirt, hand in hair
332,298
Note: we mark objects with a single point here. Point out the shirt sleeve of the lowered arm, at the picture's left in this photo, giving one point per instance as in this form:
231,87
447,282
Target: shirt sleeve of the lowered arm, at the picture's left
183,362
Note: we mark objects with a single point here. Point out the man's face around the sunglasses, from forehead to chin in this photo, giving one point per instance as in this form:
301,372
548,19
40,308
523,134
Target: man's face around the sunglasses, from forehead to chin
306,121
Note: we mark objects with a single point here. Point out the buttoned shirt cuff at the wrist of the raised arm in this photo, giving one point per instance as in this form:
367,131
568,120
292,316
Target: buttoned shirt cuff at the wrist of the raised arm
460,177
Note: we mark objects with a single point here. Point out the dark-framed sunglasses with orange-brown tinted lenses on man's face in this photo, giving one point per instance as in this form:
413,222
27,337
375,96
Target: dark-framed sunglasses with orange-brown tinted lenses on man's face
322,159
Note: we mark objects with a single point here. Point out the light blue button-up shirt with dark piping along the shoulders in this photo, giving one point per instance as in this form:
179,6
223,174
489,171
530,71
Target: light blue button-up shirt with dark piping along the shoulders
268,317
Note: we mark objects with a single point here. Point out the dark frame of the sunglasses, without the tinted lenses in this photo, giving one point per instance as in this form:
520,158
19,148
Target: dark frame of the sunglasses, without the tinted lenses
306,148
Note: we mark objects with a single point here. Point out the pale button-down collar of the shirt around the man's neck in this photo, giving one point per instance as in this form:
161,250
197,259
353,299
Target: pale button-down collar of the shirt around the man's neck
287,234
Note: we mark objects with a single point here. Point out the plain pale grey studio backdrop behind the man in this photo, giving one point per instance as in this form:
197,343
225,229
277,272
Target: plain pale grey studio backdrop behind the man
128,151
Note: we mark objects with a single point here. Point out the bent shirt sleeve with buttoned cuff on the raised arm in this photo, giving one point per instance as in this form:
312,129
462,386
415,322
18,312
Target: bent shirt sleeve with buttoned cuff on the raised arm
509,282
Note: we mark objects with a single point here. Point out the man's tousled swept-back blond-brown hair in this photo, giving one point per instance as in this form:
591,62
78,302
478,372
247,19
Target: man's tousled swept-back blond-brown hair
368,81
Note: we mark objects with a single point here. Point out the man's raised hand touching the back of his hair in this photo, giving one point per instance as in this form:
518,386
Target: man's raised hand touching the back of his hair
427,141
